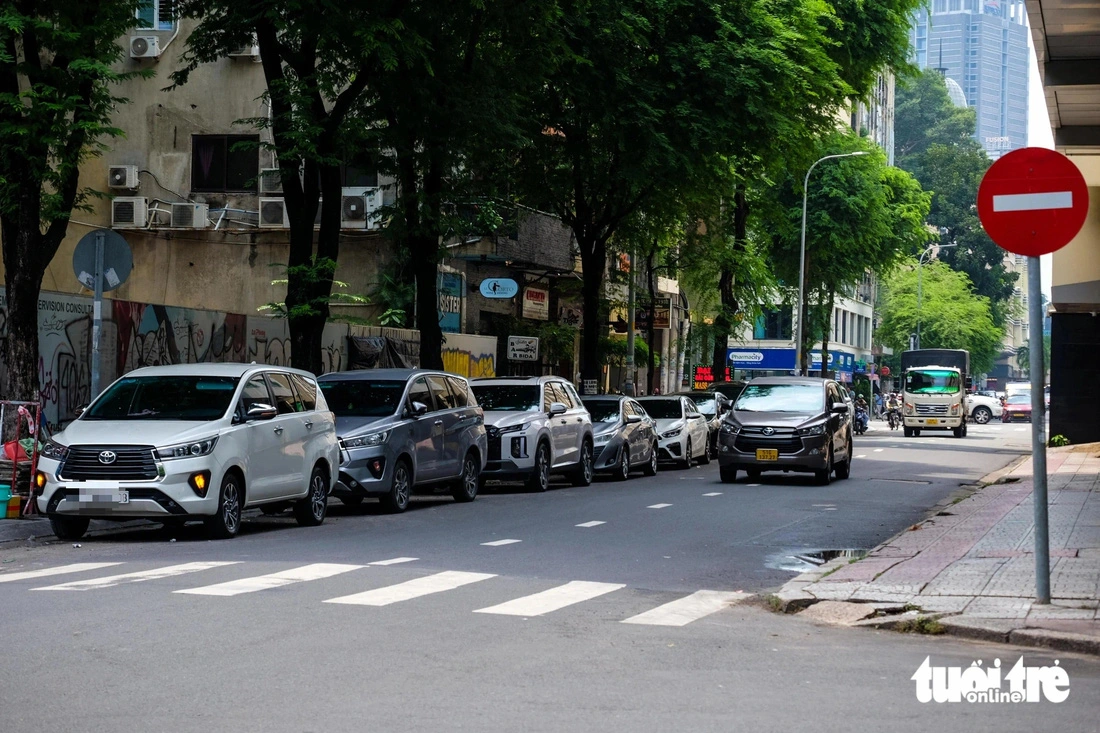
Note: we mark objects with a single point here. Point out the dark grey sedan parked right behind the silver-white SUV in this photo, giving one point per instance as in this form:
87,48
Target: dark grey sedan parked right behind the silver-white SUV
624,435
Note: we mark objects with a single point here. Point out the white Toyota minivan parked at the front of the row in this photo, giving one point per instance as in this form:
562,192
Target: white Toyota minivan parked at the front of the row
193,442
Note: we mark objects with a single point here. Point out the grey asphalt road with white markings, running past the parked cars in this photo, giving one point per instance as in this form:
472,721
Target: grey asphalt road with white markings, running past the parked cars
431,621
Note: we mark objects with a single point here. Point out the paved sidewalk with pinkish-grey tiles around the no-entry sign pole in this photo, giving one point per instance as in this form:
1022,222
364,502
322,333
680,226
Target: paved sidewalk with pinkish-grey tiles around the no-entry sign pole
972,567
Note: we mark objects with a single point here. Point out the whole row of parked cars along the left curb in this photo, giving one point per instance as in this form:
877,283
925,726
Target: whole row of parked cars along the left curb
207,442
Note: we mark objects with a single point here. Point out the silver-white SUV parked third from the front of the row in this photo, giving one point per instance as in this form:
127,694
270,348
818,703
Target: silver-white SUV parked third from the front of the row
536,426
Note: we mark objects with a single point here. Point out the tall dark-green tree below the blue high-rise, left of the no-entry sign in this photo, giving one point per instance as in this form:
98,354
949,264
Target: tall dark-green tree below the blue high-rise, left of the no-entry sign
934,141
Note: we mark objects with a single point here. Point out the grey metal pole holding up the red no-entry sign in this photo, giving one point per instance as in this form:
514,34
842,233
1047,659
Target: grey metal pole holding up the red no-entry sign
1039,431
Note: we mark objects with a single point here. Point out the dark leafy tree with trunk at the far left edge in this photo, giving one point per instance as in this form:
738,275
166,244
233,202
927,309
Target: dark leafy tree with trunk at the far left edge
57,73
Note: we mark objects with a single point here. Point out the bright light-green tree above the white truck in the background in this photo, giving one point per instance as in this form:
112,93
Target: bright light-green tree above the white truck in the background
952,315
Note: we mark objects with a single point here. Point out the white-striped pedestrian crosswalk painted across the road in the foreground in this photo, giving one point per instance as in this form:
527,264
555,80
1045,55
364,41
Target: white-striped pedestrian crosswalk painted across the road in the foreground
546,601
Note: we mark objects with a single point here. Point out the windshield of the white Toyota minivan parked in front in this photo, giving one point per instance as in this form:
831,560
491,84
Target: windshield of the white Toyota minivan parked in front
199,399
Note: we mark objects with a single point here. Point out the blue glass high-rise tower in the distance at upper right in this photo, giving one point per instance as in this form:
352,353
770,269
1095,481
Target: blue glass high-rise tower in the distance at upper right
983,46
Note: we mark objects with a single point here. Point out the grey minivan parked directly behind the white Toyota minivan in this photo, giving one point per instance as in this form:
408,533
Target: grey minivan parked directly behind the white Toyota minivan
405,430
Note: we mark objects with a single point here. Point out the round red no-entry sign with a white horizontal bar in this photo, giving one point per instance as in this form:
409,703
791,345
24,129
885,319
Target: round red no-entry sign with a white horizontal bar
1033,201
